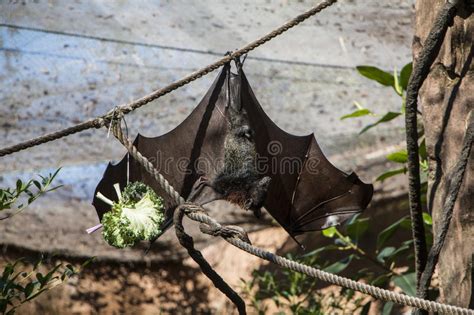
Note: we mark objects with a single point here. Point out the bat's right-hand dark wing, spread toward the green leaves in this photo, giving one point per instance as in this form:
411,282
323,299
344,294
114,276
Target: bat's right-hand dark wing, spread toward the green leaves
307,192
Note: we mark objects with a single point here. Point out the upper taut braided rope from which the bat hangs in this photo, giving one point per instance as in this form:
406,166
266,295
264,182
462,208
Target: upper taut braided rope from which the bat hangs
127,108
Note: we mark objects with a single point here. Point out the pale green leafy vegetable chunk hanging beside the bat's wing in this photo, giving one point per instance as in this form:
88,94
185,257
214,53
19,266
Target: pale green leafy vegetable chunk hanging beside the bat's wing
136,216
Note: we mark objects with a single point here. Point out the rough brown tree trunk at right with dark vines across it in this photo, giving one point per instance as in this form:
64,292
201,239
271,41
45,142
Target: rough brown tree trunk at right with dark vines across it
446,98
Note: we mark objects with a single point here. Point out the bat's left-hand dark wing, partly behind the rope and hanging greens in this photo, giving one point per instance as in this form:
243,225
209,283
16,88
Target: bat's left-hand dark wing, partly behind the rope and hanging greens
182,155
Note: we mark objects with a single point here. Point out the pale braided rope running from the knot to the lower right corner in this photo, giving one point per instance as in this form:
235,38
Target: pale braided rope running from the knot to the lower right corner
373,291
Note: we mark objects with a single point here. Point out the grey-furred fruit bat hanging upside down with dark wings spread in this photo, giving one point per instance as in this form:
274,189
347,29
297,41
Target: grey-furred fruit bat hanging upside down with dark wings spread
228,148
